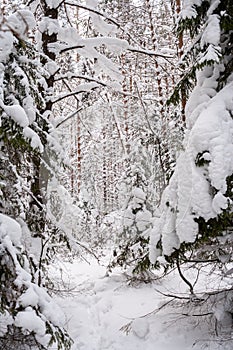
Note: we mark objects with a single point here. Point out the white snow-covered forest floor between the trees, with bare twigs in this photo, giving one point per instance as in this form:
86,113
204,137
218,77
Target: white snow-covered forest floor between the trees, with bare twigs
107,312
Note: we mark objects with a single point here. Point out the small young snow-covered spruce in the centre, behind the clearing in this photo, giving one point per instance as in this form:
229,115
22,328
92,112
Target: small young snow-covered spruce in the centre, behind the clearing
132,241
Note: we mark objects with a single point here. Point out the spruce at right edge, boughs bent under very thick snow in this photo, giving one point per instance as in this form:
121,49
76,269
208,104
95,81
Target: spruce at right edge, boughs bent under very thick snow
194,220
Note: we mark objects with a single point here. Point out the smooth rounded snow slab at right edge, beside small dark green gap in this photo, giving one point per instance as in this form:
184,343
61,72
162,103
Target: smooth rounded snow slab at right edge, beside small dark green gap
213,131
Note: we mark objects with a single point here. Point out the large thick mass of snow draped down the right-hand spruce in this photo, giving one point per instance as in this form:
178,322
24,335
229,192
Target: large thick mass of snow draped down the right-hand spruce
188,195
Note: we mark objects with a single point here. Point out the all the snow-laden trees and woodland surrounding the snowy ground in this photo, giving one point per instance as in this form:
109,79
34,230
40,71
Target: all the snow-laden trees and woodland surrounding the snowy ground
116,133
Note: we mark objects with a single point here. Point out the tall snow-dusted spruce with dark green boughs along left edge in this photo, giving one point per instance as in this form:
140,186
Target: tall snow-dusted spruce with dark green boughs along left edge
28,316
